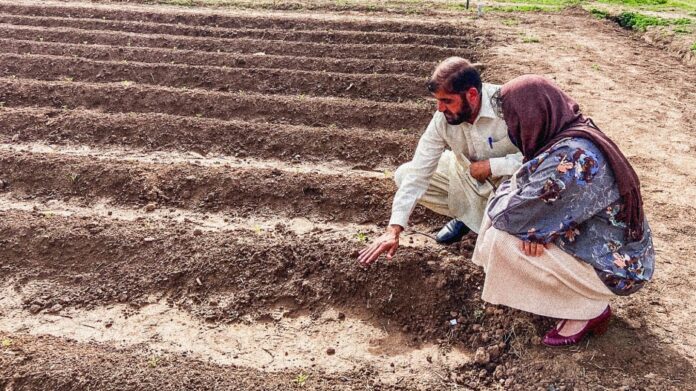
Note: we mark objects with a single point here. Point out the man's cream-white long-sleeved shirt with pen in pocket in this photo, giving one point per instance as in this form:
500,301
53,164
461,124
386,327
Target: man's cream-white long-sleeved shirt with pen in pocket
485,139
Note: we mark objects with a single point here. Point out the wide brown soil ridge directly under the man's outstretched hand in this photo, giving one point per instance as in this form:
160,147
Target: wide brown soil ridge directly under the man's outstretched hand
103,261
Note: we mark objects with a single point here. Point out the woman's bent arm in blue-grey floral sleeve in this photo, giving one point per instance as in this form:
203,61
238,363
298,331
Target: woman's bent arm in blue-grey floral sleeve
555,193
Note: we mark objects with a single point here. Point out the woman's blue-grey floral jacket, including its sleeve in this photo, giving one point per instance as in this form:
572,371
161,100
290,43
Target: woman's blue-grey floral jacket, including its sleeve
568,195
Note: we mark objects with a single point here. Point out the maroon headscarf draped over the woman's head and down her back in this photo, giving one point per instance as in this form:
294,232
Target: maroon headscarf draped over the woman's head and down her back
538,114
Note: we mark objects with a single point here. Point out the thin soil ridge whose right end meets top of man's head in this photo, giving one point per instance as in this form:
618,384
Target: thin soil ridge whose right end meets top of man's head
192,57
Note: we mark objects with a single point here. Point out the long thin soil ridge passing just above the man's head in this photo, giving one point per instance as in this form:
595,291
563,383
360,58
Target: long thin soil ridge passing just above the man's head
242,45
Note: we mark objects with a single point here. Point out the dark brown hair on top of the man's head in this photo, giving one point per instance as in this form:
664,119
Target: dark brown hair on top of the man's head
454,75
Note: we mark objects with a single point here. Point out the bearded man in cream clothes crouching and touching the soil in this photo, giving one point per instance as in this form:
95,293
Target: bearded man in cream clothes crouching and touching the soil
455,182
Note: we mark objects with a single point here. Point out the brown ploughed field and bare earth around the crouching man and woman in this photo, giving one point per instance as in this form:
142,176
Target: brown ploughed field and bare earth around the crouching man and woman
93,222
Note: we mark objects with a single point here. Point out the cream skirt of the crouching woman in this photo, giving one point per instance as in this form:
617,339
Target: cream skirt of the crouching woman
555,284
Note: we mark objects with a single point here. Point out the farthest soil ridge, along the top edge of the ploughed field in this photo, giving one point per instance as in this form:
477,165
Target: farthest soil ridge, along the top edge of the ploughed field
240,20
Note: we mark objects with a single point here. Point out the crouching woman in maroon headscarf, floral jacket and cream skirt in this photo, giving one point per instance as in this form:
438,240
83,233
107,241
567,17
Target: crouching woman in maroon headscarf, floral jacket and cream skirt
567,232
